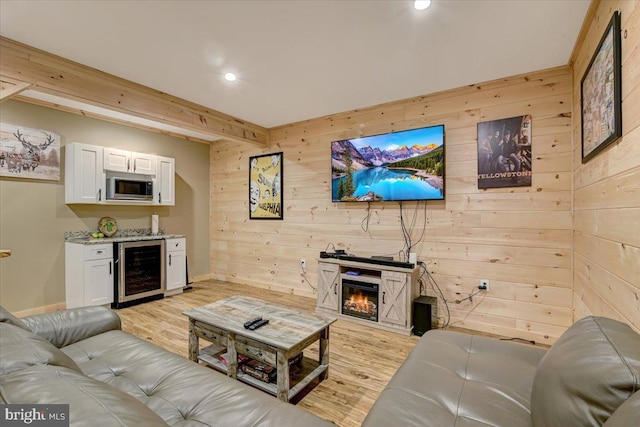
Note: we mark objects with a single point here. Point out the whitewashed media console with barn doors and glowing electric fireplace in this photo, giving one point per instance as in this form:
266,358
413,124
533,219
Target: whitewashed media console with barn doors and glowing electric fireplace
391,292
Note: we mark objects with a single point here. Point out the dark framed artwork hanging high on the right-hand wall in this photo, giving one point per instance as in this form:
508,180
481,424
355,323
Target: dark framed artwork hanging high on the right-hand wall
601,93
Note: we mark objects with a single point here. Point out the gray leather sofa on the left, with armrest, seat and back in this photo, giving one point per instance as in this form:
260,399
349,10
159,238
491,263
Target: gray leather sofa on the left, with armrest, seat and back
108,377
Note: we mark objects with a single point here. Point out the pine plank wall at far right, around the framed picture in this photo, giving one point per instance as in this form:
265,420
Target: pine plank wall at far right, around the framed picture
607,188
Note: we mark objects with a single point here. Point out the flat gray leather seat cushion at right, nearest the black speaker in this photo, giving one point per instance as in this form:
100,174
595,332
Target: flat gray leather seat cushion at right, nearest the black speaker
452,378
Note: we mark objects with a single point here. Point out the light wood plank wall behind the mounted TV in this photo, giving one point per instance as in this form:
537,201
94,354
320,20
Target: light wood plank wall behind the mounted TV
519,238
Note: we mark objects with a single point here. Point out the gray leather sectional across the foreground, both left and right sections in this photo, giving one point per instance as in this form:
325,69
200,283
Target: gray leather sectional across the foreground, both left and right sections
589,377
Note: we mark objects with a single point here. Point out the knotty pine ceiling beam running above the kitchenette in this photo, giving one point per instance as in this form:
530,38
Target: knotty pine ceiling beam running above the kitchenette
55,75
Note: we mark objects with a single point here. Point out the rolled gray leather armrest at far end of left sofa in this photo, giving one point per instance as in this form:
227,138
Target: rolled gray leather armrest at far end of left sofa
66,327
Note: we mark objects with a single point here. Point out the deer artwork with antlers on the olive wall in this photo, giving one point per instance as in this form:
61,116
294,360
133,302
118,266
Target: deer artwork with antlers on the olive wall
29,153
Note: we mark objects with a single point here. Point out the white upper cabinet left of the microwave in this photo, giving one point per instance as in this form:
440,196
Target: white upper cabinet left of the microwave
85,179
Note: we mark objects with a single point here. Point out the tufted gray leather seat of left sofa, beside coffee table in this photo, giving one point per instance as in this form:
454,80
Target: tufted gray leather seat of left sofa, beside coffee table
180,391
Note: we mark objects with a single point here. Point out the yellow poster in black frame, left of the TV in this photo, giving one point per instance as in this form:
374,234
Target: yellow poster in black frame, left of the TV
265,186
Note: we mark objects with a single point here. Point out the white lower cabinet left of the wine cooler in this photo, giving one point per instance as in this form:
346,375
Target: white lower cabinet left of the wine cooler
89,274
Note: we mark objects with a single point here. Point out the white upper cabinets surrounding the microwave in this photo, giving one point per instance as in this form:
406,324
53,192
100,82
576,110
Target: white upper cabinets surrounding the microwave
88,167
